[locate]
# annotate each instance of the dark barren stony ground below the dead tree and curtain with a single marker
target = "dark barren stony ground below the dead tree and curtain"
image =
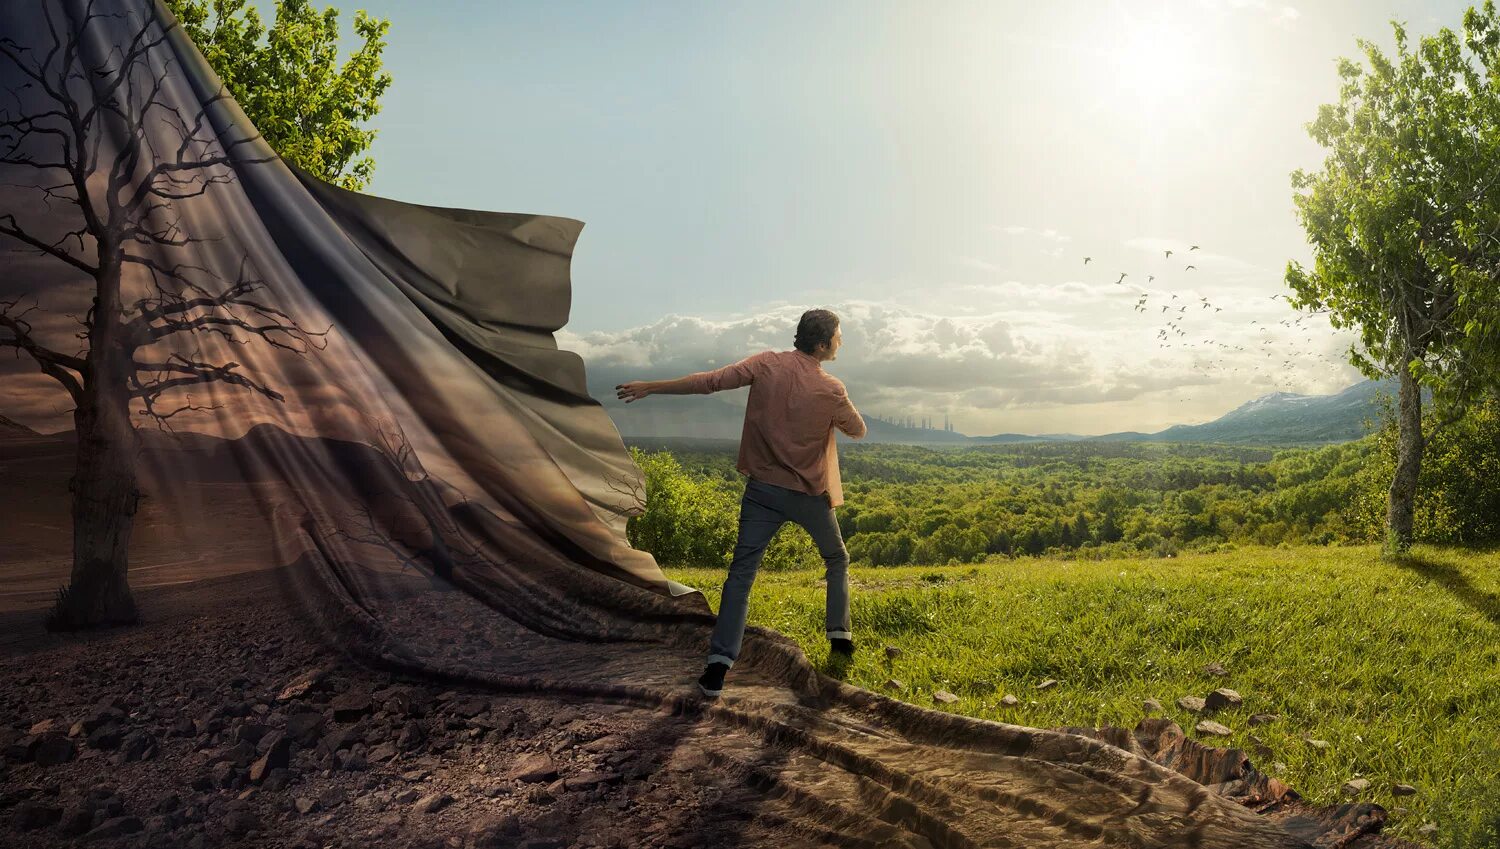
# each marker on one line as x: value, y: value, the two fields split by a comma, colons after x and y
x: 223, y: 722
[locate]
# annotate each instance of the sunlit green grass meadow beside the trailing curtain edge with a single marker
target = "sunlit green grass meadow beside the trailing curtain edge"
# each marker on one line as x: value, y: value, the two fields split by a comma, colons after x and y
x: 1397, y: 667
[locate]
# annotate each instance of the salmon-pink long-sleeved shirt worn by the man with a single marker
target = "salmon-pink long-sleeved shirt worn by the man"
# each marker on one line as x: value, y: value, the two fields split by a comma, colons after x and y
x: 794, y: 407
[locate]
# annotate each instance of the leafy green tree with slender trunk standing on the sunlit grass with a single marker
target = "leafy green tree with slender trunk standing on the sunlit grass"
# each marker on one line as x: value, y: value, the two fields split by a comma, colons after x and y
x: 1405, y: 224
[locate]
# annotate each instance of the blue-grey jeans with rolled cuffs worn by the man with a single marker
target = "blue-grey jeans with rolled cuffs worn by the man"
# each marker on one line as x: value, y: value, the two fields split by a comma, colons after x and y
x: 763, y: 511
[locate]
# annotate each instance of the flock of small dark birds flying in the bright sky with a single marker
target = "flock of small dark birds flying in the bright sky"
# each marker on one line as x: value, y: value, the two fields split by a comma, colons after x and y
x: 1175, y: 332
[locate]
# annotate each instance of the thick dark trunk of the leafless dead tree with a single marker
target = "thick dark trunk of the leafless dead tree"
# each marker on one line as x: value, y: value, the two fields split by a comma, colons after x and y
x: 104, y: 482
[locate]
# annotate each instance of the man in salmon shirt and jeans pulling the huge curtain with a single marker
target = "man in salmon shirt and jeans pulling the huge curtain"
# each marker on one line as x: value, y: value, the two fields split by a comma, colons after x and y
x: 791, y: 460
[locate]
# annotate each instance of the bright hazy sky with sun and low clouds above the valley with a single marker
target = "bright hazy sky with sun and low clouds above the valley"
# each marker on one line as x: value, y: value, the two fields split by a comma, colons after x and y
x: 934, y: 172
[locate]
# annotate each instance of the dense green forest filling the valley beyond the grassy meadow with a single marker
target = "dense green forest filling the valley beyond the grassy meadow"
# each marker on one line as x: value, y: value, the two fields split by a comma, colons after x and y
x: 1091, y: 502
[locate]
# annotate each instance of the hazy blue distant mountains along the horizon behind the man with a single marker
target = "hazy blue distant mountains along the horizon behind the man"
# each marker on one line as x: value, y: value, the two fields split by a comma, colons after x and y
x: 1276, y: 419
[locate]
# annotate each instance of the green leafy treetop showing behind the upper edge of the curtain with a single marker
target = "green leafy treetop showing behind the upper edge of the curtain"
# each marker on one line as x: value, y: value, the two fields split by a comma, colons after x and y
x: 289, y: 80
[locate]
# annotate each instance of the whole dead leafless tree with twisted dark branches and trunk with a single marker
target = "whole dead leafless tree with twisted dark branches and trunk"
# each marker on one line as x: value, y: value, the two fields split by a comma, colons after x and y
x: 95, y: 131
